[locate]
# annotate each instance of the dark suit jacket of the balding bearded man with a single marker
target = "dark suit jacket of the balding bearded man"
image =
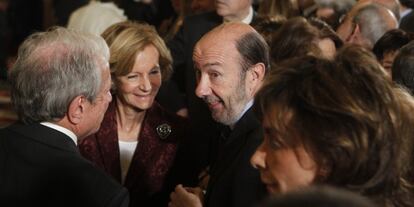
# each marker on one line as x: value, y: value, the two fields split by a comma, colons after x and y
x: 233, y: 181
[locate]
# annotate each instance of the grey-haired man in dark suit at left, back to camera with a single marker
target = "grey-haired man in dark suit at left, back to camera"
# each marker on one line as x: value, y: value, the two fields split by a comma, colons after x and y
x: 60, y: 89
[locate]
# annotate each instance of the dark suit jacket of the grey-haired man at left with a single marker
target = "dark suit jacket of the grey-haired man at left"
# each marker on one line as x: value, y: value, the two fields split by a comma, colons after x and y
x: 40, y: 166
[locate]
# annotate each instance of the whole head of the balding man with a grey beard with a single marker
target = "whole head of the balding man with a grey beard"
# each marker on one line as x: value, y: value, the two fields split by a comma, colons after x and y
x: 230, y: 62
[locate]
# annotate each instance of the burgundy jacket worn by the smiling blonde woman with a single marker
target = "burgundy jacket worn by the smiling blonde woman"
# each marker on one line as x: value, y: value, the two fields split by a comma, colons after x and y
x: 152, y: 158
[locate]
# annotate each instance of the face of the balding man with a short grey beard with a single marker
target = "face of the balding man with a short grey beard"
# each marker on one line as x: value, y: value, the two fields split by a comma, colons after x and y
x: 221, y: 82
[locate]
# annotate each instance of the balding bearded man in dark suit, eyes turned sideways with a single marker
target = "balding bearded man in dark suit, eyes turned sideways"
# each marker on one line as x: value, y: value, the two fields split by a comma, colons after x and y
x: 231, y: 61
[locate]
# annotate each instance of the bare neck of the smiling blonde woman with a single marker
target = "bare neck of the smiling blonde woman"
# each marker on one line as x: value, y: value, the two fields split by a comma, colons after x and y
x: 128, y: 119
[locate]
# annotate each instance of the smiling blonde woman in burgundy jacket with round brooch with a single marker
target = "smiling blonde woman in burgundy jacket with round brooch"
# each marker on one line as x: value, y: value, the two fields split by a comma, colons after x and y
x: 138, y: 139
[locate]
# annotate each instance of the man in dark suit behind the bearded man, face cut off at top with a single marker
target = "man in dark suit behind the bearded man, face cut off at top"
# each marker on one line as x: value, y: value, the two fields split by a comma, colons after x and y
x: 181, y: 46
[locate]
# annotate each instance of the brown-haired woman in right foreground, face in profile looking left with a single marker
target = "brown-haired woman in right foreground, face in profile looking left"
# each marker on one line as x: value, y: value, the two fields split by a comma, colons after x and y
x: 341, y: 123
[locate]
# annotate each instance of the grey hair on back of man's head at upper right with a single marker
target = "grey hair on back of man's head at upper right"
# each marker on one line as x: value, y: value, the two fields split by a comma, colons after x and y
x: 373, y: 21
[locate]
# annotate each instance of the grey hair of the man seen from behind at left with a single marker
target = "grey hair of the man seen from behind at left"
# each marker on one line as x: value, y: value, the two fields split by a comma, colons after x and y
x: 54, y: 67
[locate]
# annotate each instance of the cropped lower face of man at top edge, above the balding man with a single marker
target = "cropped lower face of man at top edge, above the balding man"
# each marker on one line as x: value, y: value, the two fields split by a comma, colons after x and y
x: 231, y: 8
